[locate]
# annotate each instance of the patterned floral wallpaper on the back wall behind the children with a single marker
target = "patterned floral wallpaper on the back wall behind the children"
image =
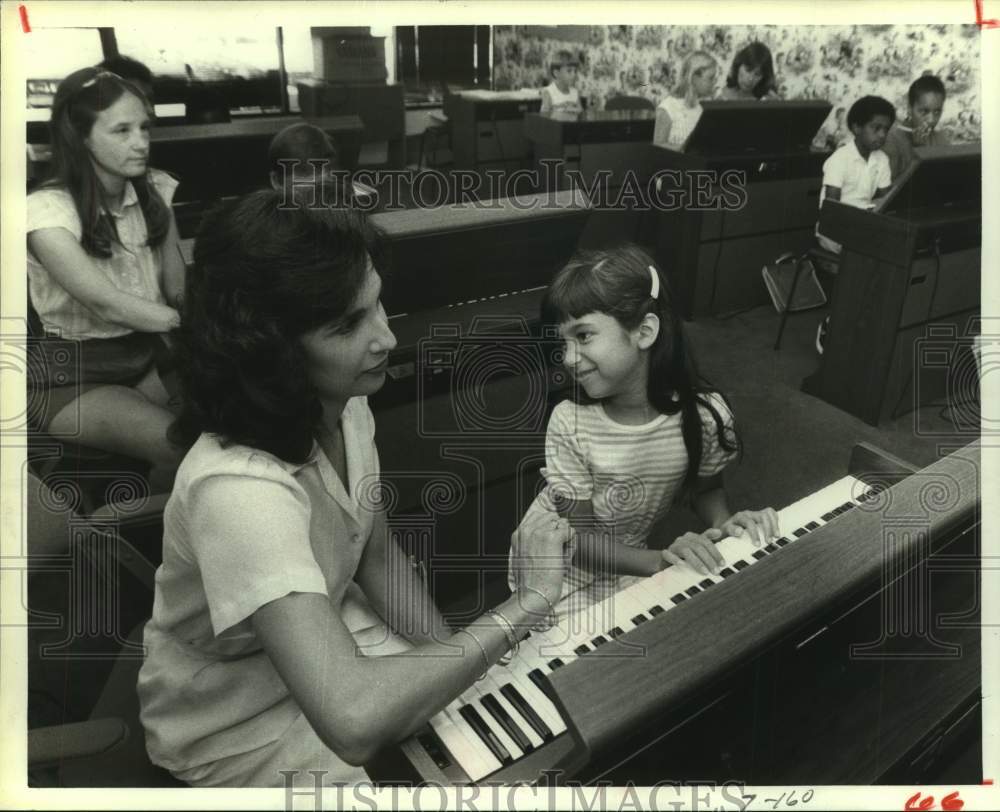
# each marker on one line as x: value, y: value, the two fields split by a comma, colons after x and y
x: 836, y: 63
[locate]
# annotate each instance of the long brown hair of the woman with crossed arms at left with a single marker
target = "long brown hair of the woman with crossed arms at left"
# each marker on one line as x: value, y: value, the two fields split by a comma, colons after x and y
x: 80, y: 98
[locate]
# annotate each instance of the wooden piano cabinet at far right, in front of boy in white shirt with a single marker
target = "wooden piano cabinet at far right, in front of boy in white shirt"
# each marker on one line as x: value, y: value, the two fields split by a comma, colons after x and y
x: 904, y: 308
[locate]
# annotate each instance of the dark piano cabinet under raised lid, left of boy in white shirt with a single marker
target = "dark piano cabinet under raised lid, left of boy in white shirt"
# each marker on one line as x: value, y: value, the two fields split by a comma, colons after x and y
x: 714, y: 255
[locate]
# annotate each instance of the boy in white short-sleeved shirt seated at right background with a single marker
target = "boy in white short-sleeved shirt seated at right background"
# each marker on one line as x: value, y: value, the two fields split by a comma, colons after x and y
x: 858, y: 172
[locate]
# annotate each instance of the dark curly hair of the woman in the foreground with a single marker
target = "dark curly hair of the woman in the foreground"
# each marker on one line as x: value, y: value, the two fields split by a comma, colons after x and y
x: 263, y: 275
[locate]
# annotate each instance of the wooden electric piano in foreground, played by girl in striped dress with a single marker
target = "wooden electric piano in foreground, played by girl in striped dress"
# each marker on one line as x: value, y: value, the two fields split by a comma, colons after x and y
x: 821, y: 672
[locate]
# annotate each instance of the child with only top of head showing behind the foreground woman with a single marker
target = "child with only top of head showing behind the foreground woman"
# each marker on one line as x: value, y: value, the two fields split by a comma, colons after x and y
x: 305, y: 164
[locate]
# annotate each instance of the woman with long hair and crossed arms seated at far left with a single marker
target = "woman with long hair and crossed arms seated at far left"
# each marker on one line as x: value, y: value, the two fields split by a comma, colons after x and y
x: 105, y: 272
